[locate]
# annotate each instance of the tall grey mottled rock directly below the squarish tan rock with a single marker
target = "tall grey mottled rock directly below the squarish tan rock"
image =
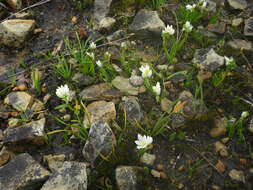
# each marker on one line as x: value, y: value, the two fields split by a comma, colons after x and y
x: 100, y: 142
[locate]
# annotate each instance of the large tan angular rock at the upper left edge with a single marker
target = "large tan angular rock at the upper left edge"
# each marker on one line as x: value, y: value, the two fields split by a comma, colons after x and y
x: 14, y: 32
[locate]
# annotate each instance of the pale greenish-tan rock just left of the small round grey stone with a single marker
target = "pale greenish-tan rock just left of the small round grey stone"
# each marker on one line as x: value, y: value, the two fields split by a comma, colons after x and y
x: 123, y: 84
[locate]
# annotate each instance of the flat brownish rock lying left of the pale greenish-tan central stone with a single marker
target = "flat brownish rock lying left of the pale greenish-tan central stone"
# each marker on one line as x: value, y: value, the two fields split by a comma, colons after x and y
x: 102, y: 91
